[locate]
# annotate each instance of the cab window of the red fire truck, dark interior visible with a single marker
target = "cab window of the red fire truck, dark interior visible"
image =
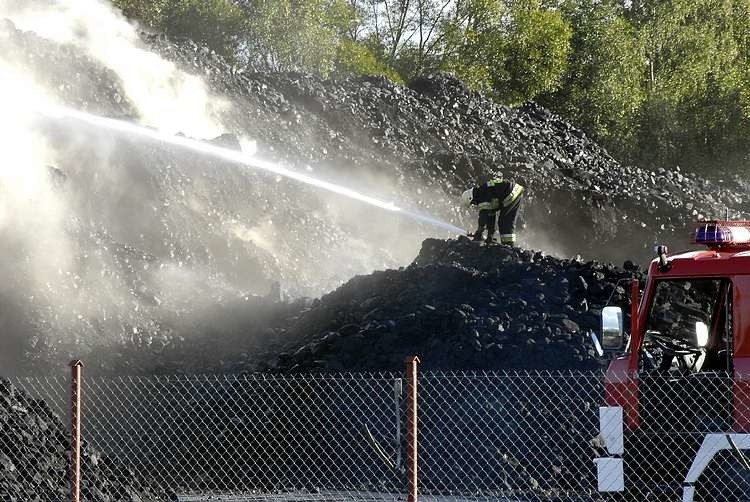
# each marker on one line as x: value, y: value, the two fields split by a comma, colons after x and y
x: 674, y: 341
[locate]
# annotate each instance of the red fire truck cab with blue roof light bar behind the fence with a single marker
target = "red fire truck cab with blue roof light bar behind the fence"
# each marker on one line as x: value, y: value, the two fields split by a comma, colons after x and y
x: 677, y: 389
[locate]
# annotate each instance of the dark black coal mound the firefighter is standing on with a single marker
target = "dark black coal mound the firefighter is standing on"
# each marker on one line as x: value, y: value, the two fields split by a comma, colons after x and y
x: 461, y: 306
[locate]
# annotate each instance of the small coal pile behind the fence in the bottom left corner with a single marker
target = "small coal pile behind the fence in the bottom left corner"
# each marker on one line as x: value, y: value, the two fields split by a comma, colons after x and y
x: 34, y: 456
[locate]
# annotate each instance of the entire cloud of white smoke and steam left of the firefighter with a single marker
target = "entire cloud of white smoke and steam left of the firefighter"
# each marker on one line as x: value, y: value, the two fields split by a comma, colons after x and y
x: 126, y: 249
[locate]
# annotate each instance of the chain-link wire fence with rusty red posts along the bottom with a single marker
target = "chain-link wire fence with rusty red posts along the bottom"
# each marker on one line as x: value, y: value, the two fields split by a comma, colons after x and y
x: 521, y: 436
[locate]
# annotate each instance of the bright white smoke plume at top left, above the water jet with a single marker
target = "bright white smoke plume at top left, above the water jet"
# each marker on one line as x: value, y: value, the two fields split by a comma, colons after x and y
x: 165, y: 97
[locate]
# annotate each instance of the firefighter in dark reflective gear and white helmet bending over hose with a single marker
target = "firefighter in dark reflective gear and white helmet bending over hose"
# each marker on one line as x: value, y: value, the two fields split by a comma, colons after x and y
x: 497, y: 199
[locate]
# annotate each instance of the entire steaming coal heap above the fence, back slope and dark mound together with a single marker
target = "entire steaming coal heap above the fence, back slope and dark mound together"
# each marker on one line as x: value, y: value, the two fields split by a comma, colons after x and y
x: 426, y: 142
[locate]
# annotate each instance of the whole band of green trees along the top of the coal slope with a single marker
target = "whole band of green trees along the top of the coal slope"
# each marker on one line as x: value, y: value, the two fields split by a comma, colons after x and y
x: 659, y: 83
